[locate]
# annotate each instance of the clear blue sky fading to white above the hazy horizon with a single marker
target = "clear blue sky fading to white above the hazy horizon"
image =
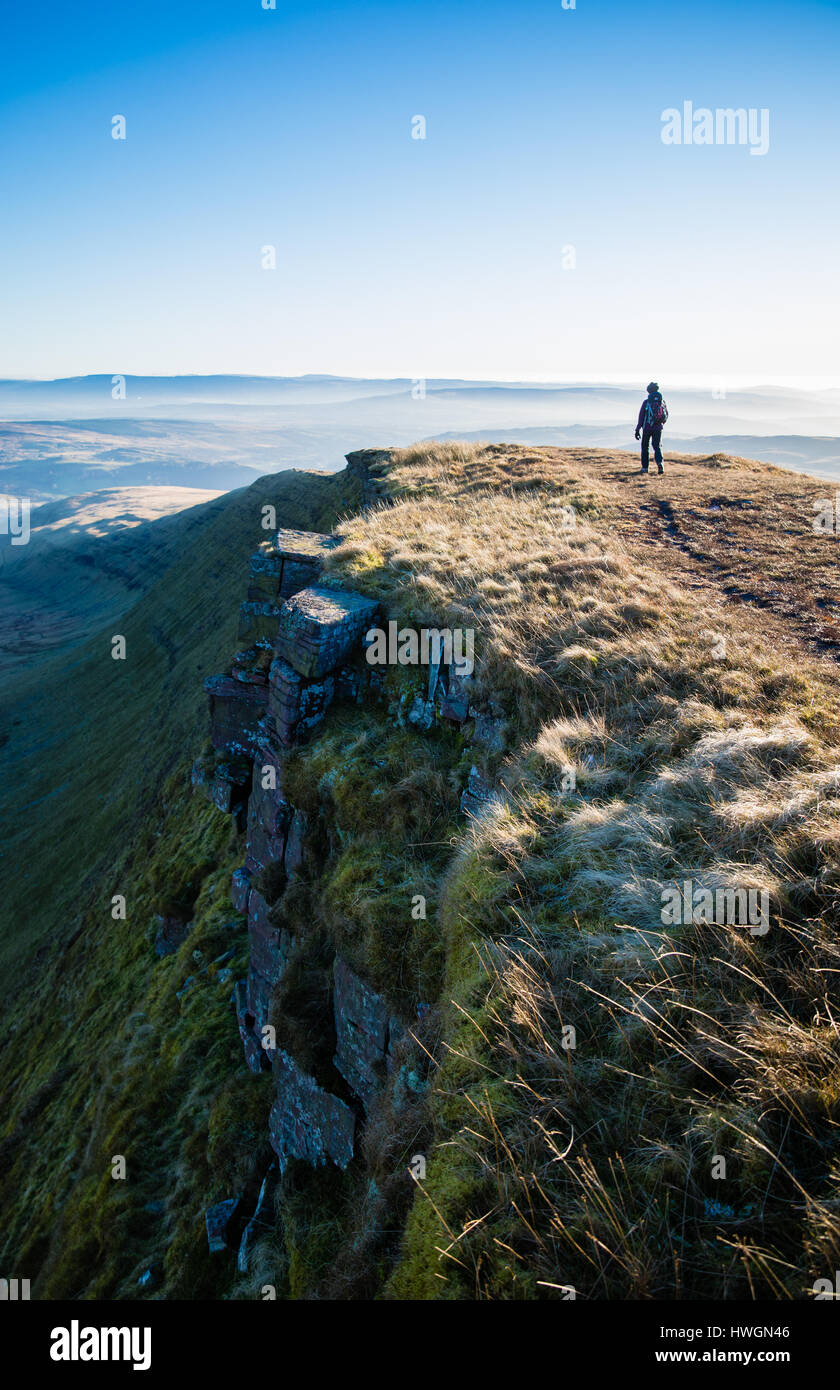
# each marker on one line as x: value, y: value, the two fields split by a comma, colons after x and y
x: 293, y: 127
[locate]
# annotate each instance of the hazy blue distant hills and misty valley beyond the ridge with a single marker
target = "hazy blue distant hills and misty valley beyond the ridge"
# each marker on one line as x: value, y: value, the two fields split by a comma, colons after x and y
x: 81, y: 434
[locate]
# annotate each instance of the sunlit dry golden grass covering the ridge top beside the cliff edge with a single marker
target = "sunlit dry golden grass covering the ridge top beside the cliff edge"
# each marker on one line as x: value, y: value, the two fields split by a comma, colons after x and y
x: 702, y: 730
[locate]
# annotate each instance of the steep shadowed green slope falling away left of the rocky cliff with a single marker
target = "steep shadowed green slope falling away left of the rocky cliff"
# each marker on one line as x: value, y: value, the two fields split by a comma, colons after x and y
x: 99, y: 1057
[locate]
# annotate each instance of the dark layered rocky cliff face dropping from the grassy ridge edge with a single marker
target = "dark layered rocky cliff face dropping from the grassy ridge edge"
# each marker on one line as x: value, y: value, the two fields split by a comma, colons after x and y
x: 302, y: 657
